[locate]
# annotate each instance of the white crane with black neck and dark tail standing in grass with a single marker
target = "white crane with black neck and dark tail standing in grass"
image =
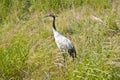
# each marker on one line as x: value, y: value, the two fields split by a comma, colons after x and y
x: 63, y: 43
